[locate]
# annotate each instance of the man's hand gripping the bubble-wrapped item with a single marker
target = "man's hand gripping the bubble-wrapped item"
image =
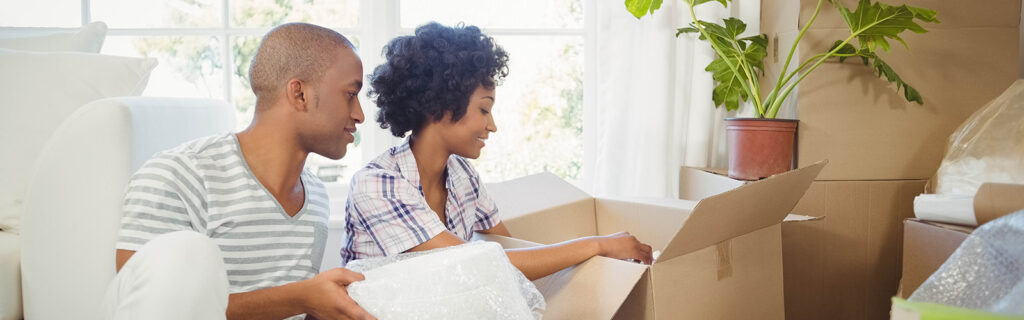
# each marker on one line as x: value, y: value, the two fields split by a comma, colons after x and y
x: 327, y: 296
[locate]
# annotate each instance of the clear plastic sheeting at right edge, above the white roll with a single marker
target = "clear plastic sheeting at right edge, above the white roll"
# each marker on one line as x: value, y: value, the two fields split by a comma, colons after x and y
x: 988, y: 148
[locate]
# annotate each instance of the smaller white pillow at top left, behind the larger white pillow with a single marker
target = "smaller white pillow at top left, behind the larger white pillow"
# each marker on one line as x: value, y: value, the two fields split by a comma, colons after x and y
x: 88, y: 39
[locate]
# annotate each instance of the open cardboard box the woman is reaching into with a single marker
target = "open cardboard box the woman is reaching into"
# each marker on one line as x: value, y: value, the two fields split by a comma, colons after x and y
x: 720, y: 258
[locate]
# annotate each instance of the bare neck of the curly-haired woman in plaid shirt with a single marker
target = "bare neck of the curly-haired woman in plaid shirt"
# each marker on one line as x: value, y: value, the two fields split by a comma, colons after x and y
x: 432, y: 159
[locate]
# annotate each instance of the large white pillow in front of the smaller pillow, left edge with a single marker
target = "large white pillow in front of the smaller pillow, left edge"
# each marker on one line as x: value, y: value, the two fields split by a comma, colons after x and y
x: 40, y: 91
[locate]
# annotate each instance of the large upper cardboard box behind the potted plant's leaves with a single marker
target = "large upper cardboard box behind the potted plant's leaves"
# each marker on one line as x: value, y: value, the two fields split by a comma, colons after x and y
x: 857, y: 121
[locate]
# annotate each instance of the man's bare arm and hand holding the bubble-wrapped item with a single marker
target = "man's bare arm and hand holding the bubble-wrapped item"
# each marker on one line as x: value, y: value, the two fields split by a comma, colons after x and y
x: 324, y: 297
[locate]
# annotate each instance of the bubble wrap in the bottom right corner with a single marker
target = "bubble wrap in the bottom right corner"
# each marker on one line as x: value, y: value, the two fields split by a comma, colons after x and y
x: 986, y: 273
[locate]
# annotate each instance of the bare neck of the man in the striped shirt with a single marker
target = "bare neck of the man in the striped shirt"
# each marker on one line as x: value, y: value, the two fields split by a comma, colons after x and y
x: 275, y: 159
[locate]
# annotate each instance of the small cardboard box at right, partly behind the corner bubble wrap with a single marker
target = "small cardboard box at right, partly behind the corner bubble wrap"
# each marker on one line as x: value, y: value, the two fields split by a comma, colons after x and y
x: 926, y: 247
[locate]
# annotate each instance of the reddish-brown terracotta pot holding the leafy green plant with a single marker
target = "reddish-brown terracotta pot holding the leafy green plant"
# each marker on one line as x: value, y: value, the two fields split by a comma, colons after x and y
x: 760, y: 148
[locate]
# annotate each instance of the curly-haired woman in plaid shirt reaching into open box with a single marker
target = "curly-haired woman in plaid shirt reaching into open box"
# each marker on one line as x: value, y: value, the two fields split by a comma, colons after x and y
x: 440, y: 85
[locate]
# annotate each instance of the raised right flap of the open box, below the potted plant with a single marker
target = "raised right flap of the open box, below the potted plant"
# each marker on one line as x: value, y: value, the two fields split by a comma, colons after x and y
x: 742, y: 211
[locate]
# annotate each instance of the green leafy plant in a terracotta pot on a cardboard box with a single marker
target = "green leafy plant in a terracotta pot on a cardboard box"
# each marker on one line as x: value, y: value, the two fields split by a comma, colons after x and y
x: 764, y: 146
